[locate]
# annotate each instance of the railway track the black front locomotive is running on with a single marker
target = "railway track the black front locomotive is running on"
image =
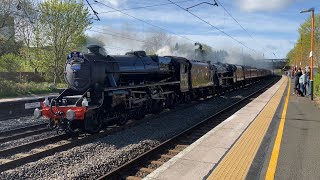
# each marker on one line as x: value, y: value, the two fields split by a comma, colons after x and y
x: 16, y: 156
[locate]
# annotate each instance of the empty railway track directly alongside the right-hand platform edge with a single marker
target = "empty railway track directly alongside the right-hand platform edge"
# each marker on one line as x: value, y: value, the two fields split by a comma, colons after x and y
x: 147, y: 162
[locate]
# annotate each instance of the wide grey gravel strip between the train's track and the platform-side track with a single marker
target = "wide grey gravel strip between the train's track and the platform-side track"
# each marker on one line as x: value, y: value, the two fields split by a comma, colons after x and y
x: 91, y: 160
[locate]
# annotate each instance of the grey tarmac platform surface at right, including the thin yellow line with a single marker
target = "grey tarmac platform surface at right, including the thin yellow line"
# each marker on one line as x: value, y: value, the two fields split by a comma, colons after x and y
x: 299, y: 148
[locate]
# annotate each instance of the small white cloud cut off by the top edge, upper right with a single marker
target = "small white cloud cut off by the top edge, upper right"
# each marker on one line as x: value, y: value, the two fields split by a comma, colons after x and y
x: 263, y: 5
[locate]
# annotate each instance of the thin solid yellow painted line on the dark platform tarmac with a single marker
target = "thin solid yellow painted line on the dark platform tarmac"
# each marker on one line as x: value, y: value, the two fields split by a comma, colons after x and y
x: 276, y: 148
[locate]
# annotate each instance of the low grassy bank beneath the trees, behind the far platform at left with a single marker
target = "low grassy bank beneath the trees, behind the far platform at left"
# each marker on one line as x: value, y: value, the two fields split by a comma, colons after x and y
x: 16, y: 89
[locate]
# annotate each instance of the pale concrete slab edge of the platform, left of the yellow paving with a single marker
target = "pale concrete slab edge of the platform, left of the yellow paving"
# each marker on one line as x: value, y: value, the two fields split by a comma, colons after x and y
x: 199, y: 159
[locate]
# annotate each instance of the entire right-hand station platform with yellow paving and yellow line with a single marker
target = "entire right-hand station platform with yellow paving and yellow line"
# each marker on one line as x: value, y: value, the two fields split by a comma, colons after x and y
x: 276, y: 136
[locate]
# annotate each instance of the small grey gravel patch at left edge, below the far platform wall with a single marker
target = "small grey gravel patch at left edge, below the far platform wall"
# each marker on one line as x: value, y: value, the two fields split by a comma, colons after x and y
x: 19, y: 122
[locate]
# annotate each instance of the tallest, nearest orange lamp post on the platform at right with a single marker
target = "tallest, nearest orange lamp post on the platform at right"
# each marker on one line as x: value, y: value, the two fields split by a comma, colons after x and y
x: 311, y: 52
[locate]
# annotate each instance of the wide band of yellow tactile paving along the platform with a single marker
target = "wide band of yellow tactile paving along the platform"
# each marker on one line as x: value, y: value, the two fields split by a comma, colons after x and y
x: 237, y: 162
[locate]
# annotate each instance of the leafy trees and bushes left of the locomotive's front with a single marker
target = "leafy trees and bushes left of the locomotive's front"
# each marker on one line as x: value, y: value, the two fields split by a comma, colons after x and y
x: 36, y: 36
